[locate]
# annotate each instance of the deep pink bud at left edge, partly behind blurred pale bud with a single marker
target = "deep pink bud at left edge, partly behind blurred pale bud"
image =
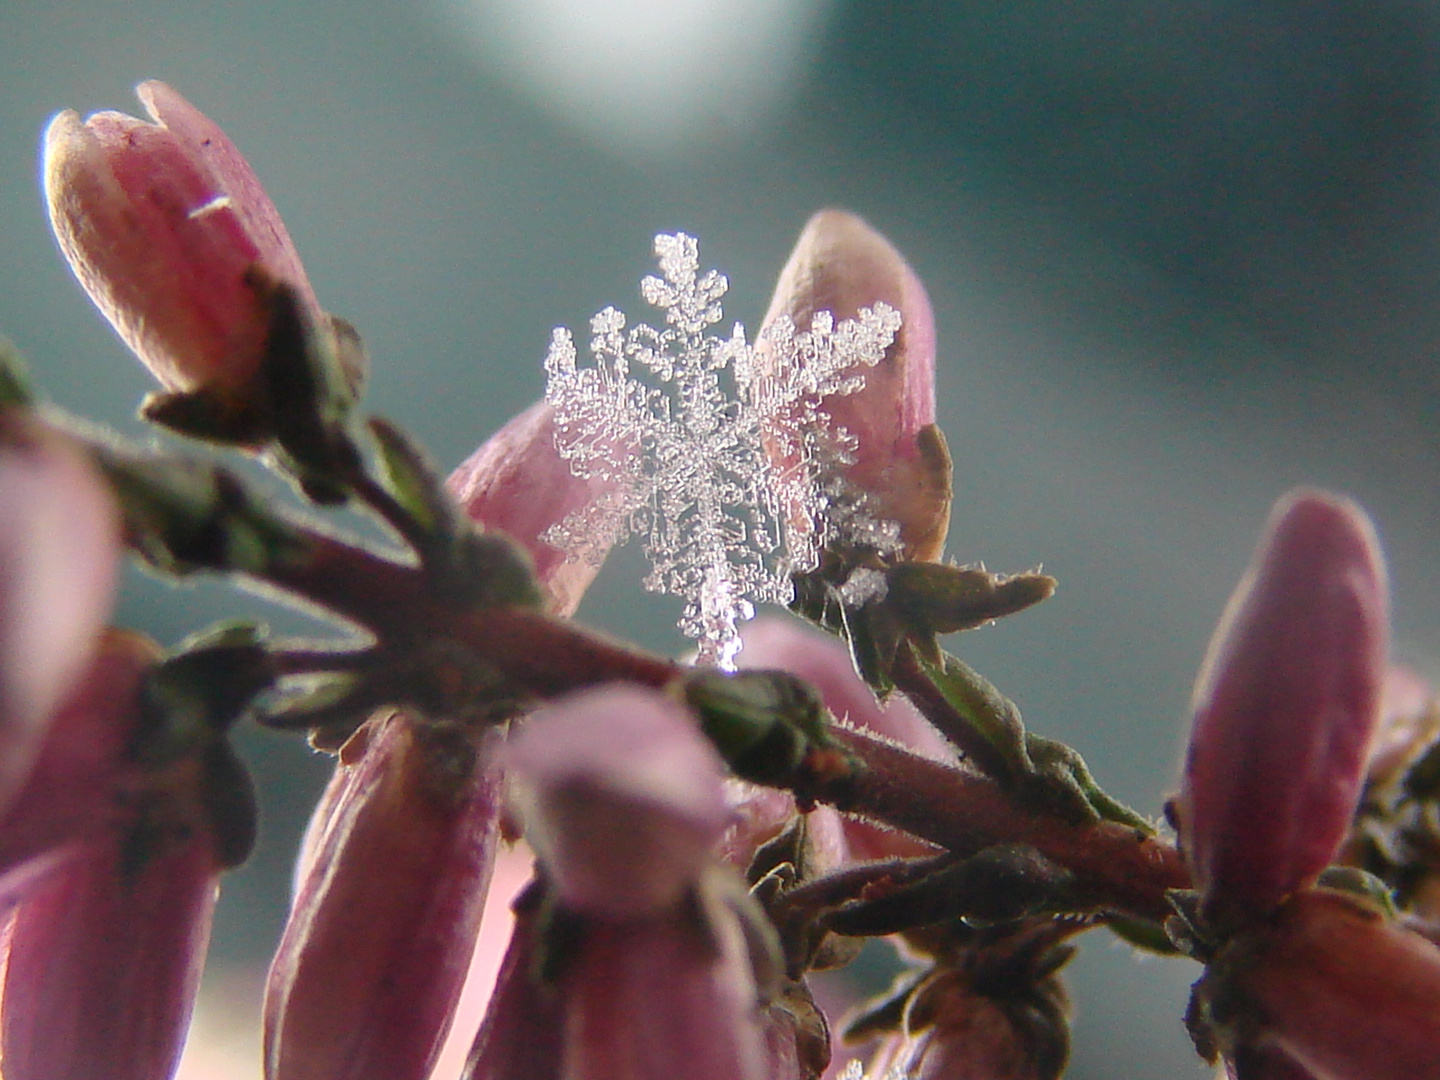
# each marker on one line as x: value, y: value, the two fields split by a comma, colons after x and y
x: 74, y: 790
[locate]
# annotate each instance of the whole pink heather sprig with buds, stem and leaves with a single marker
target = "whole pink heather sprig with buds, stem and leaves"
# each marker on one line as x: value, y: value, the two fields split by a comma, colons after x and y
x: 703, y: 842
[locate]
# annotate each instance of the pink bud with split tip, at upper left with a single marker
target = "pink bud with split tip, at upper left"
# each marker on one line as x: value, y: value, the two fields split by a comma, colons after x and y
x: 162, y: 224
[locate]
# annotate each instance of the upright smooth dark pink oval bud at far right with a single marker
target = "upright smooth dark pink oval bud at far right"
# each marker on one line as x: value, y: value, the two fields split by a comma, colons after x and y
x: 1285, y: 709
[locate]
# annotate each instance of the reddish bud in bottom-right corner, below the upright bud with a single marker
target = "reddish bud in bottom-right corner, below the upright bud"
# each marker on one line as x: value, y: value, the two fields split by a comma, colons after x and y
x: 1338, y: 990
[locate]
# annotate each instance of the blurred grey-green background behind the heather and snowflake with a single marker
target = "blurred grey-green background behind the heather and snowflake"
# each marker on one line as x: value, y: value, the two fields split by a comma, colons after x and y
x: 1183, y: 257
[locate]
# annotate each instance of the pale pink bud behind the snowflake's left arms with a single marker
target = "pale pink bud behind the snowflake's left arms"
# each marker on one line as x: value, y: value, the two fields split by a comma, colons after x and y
x: 519, y: 485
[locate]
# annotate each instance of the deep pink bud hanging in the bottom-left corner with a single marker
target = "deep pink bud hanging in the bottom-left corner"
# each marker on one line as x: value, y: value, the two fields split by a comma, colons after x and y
x: 106, y: 958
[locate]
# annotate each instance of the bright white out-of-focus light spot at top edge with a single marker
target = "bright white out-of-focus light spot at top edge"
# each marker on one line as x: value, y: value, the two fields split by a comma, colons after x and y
x: 647, y: 74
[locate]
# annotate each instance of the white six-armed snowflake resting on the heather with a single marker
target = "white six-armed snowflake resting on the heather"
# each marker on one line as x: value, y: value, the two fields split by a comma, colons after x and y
x: 726, y: 467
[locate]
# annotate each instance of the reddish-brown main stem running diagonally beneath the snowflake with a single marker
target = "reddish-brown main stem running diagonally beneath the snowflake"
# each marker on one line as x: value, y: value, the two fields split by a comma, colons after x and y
x: 1118, y: 869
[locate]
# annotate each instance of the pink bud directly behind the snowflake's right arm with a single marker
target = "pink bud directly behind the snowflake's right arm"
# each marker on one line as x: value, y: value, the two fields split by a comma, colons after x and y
x: 840, y: 266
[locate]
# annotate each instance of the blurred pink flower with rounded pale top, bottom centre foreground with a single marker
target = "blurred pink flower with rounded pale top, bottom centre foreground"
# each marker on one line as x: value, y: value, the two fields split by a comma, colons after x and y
x: 621, y: 797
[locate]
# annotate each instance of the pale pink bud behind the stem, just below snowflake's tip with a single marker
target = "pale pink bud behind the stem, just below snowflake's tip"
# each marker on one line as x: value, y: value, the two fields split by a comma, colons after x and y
x: 824, y: 662
